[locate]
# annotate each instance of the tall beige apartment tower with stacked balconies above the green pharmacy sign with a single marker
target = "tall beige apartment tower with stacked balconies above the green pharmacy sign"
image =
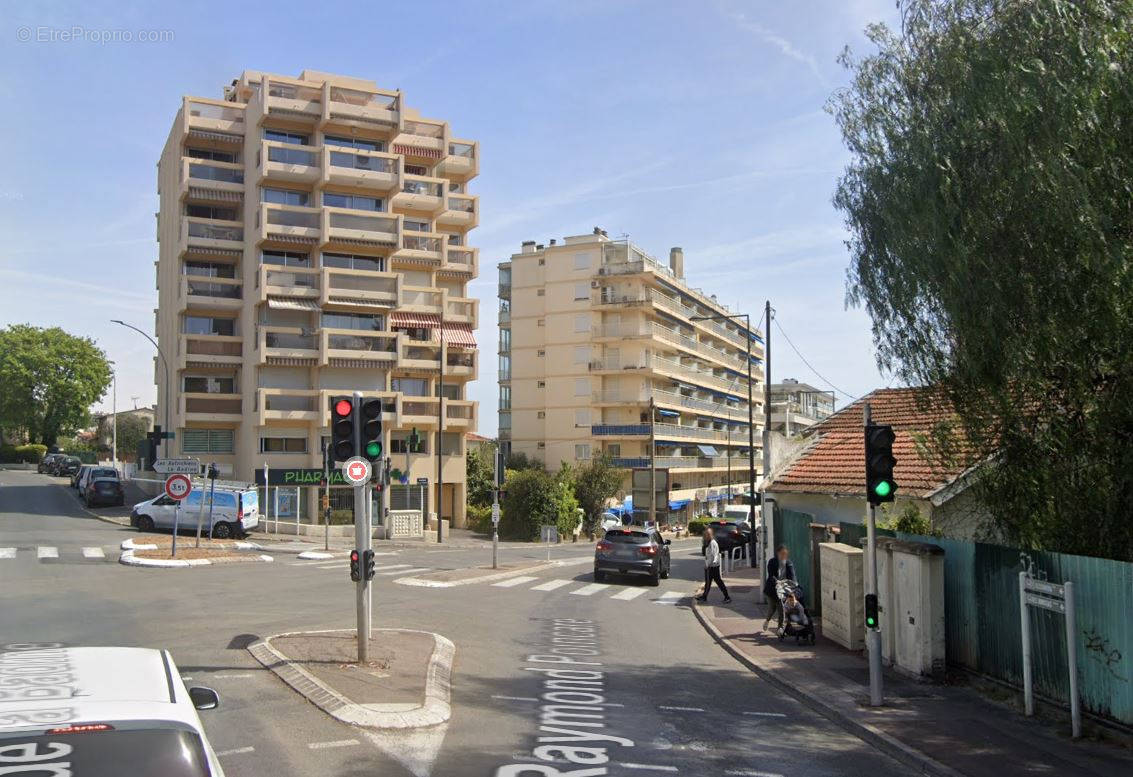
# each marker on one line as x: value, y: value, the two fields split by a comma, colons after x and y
x: 314, y: 241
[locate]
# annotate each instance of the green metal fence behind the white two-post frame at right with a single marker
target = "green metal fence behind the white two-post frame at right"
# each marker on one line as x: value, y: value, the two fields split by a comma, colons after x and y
x: 983, y: 620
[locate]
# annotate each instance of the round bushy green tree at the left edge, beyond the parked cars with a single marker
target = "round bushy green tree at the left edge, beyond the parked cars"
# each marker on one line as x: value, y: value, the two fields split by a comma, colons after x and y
x: 50, y: 381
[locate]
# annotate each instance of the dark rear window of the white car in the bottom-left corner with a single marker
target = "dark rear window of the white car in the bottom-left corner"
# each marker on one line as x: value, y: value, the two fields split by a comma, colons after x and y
x: 154, y: 753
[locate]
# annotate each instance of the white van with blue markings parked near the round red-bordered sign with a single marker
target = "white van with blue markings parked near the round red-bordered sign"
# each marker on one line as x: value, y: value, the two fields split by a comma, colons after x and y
x: 235, y: 511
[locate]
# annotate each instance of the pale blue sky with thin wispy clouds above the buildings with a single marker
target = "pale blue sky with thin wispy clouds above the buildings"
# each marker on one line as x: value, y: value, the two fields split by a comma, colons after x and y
x: 693, y: 124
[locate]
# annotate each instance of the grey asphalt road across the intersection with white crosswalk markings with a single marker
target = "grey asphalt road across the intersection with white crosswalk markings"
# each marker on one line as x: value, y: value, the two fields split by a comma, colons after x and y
x: 672, y: 702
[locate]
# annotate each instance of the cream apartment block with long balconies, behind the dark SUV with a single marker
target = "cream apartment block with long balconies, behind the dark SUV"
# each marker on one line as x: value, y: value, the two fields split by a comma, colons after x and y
x: 591, y: 331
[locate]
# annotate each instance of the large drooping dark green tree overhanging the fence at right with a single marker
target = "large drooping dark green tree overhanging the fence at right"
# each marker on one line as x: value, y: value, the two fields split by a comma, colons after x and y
x: 992, y: 244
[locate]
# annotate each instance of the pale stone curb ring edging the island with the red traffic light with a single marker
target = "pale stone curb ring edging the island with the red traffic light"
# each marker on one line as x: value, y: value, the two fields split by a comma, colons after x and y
x: 436, y: 711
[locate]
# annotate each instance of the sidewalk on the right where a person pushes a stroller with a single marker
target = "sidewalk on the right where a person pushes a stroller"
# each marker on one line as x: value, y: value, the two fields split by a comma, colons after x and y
x: 936, y: 729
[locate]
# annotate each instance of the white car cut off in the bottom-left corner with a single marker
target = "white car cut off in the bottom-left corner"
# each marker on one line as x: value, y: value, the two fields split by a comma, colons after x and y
x: 127, y: 712
